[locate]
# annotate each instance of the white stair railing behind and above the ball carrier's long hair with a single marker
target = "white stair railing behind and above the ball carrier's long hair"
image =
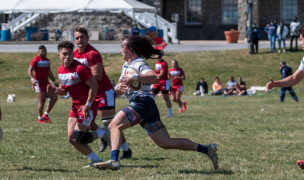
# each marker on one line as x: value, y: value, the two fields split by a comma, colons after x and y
x: 148, y: 20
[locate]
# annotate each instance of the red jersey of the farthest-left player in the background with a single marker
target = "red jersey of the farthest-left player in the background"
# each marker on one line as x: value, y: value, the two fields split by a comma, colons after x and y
x: 41, y: 68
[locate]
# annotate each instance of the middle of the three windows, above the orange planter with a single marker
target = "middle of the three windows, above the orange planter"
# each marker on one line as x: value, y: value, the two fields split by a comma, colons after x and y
x: 230, y: 14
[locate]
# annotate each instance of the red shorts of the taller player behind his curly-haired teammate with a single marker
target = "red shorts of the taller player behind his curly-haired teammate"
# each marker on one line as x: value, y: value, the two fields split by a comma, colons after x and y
x: 106, y: 99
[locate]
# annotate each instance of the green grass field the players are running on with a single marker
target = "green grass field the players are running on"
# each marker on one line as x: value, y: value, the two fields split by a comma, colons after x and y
x: 253, y: 144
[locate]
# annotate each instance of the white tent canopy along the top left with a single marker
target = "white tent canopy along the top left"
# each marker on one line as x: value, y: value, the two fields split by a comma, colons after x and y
x: 58, y: 6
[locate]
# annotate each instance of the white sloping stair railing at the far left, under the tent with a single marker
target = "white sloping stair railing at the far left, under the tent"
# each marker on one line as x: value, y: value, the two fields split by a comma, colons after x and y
x: 20, y: 22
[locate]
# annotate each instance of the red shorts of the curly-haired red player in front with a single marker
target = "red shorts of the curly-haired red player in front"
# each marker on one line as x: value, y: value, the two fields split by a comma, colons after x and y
x: 74, y: 113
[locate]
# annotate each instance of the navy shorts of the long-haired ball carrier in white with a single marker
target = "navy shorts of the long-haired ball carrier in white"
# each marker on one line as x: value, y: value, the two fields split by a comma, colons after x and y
x: 143, y: 111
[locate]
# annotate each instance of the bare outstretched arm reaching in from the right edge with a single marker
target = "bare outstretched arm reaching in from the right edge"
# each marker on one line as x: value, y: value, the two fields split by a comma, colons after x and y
x: 286, y: 82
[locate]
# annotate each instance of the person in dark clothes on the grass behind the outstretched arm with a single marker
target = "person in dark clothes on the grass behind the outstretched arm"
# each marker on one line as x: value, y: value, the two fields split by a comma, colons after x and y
x: 286, y: 71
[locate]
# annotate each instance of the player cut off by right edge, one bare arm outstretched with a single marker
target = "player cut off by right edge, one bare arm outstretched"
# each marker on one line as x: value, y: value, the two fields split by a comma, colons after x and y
x: 291, y: 80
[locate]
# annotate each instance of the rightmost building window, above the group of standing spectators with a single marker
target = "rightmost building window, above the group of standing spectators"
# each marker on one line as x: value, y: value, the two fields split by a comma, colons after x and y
x: 289, y: 10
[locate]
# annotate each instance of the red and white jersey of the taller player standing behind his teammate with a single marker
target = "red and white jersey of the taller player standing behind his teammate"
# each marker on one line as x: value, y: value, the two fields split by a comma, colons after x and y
x: 89, y: 57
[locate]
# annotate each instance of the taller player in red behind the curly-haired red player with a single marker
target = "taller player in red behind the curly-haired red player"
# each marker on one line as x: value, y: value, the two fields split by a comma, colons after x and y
x: 105, y: 97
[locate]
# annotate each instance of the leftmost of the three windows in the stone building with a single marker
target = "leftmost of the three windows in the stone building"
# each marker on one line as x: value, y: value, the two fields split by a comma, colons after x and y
x: 193, y: 12
